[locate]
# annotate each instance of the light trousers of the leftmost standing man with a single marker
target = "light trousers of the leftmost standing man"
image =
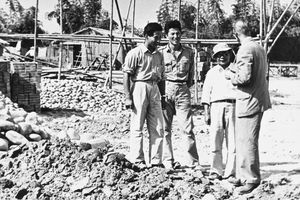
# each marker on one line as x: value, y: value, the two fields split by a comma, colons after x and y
x: 147, y: 106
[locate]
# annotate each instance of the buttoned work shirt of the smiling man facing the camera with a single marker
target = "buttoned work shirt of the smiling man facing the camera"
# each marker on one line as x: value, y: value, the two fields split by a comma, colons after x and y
x: 178, y: 67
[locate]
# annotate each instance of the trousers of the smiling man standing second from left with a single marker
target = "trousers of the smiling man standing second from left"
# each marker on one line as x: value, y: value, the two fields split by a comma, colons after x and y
x: 178, y: 103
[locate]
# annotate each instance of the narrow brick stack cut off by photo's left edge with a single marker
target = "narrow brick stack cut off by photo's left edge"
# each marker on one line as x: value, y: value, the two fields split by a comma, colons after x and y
x: 5, y: 78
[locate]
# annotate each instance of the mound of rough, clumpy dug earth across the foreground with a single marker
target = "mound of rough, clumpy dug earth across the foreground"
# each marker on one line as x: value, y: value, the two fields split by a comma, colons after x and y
x: 60, y: 169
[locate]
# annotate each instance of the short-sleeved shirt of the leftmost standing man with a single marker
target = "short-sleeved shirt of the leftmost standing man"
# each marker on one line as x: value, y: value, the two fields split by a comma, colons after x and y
x: 144, y: 65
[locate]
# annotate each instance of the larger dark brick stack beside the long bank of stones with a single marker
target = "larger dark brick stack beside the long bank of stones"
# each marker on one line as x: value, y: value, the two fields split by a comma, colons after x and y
x: 25, y: 85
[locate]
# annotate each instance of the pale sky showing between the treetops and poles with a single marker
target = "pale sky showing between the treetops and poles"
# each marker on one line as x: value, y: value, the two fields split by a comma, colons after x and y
x: 145, y: 11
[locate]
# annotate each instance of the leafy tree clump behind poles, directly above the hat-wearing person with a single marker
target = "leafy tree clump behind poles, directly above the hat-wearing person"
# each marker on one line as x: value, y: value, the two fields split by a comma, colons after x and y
x: 212, y: 22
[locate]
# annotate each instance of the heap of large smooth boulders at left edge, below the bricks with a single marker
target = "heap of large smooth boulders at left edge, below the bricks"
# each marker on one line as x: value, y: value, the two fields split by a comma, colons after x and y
x: 18, y: 126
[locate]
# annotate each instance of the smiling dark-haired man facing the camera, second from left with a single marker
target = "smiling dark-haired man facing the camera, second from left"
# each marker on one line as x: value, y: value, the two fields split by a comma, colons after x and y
x: 179, y: 73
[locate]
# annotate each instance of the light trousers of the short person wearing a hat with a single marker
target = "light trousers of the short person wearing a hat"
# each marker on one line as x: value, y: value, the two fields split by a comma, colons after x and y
x: 223, y: 127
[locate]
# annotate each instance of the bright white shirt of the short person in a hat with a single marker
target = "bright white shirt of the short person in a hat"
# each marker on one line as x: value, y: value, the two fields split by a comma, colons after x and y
x: 216, y: 87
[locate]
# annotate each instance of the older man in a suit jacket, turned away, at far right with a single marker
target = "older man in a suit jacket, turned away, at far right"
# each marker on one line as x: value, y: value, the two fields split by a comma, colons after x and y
x: 250, y: 76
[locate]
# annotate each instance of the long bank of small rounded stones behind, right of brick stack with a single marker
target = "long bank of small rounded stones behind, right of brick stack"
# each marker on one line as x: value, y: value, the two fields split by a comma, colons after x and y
x: 80, y: 95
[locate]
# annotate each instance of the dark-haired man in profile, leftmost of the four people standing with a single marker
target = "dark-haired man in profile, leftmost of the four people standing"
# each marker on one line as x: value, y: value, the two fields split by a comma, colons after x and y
x: 143, y: 67
